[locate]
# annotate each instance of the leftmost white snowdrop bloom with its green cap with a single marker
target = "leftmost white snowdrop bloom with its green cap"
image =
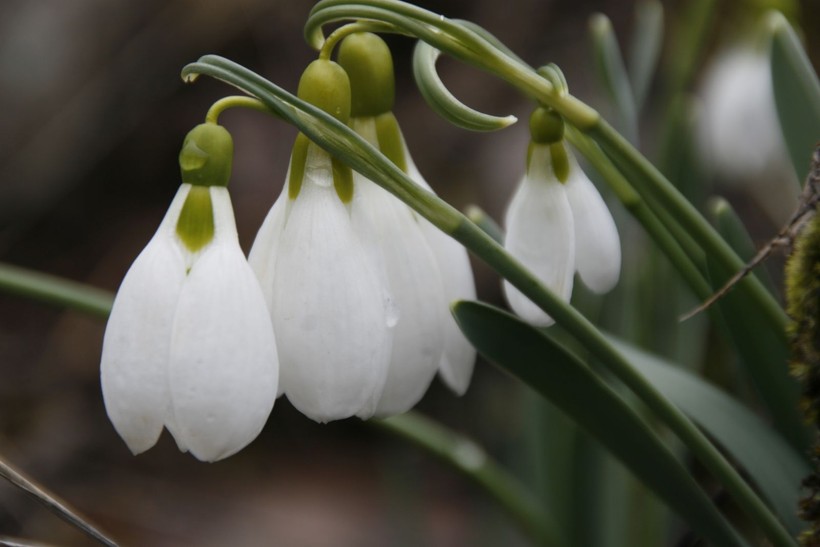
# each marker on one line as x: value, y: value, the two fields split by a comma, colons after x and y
x: 189, y: 344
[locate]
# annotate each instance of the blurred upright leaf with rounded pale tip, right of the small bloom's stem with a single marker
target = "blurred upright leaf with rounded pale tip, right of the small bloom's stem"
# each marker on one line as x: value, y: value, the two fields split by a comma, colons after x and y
x: 612, y: 72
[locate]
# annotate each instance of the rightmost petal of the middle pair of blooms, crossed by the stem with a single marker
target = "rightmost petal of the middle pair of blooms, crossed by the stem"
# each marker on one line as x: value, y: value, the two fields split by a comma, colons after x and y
x: 458, y: 357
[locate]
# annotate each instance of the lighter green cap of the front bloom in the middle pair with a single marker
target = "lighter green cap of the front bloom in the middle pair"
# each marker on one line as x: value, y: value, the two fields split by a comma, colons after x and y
x: 325, y: 84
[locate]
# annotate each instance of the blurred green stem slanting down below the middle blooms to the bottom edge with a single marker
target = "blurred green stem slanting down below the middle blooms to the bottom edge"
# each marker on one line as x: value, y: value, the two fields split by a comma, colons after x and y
x: 471, y: 460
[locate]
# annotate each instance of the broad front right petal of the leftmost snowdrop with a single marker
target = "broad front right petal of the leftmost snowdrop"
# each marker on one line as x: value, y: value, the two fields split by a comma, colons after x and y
x: 224, y: 366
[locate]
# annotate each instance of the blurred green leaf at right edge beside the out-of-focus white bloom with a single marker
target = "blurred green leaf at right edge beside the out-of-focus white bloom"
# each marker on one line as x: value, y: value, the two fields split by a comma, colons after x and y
x: 796, y: 93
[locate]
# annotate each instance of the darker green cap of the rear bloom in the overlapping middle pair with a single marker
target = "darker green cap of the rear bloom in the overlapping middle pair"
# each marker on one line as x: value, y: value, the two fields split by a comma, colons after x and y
x: 368, y: 62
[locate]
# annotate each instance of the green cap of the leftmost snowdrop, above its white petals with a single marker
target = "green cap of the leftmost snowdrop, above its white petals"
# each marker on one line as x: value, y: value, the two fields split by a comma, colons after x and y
x: 206, y: 157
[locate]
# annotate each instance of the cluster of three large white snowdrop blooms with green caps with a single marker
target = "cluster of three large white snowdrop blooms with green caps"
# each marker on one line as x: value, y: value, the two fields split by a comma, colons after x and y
x: 341, y: 305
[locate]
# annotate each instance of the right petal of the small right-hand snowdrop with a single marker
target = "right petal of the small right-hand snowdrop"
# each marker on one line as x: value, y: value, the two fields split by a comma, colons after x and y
x: 597, y: 247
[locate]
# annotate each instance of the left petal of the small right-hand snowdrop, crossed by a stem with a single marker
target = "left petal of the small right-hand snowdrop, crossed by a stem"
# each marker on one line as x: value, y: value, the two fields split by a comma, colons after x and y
x: 540, y: 235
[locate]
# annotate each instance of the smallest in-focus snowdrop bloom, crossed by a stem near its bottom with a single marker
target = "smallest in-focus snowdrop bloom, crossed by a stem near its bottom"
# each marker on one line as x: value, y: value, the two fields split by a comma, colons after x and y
x: 557, y: 223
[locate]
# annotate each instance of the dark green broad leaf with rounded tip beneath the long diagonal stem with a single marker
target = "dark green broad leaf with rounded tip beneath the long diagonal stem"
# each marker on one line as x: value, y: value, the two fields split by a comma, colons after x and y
x: 532, y: 357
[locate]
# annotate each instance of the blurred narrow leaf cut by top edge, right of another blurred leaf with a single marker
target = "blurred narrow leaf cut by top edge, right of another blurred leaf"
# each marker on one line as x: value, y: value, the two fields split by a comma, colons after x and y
x: 647, y: 39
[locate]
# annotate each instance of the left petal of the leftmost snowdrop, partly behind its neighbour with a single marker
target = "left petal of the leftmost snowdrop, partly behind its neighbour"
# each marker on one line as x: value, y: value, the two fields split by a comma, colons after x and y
x: 136, y: 347
